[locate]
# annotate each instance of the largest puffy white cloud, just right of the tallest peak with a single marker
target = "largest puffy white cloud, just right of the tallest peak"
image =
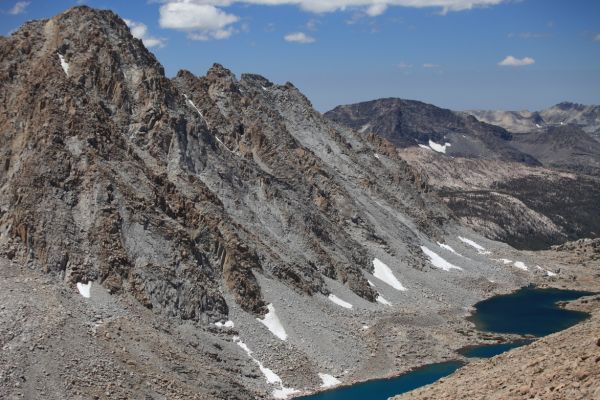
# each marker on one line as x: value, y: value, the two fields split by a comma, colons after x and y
x: 202, y: 21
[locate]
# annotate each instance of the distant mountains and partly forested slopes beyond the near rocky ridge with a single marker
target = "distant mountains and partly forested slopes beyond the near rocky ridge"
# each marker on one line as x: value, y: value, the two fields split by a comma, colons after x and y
x: 530, y: 189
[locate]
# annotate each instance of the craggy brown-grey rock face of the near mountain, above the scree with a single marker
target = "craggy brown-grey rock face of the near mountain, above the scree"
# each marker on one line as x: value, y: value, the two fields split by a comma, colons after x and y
x: 174, y: 189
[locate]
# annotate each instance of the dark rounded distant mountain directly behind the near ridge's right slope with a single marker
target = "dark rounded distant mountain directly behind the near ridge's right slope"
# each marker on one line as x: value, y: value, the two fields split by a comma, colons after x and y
x: 407, y: 123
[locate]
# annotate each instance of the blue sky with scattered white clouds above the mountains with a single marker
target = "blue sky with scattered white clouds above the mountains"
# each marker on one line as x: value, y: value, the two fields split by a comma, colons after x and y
x: 491, y: 54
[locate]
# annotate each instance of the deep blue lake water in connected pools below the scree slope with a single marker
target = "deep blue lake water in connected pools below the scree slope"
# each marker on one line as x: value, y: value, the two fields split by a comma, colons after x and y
x: 528, y: 311
